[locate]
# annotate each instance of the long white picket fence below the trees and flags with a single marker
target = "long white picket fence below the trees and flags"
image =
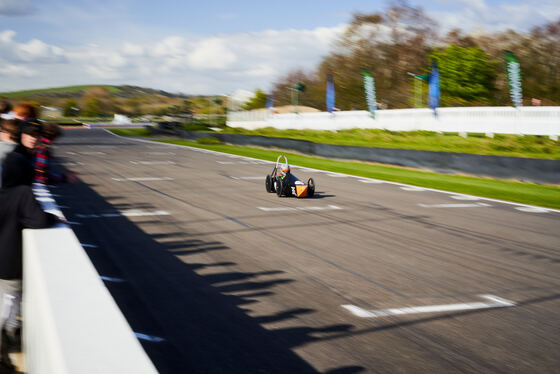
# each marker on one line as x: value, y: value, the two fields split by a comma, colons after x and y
x: 490, y: 120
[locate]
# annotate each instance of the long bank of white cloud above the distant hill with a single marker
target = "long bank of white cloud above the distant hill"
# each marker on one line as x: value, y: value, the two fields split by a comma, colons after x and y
x: 198, y: 65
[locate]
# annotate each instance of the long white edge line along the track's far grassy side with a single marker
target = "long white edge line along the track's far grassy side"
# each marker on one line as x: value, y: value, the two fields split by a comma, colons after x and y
x: 311, y: 170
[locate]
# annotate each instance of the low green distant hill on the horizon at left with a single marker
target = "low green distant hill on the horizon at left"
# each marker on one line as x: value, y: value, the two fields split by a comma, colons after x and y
x: 77, y: 91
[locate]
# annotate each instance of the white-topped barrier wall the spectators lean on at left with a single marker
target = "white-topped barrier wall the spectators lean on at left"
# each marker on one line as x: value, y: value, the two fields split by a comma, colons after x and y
x: 71, y: 324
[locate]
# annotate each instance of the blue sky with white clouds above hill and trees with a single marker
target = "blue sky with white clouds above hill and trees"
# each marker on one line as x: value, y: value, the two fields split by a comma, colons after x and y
x: 209, y: 47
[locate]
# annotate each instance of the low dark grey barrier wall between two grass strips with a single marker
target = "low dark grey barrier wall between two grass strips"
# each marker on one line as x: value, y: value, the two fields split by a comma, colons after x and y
x: 526, y: 169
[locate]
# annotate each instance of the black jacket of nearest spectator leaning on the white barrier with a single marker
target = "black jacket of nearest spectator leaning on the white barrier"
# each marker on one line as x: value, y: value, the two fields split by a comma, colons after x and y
x: 18, y: 210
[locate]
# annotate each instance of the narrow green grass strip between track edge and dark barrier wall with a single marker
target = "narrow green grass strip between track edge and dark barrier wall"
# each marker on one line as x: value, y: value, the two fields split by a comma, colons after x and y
x: 526, y: 193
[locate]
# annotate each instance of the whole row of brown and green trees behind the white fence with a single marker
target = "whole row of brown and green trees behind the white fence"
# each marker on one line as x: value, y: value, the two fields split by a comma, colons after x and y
x: 403, y: 40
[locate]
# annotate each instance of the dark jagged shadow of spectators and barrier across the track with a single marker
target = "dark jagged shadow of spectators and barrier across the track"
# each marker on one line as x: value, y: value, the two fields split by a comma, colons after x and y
x: 204, y: 328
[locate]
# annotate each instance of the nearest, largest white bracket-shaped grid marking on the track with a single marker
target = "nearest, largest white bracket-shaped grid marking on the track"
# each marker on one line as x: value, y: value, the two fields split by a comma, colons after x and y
x: 494, y: 302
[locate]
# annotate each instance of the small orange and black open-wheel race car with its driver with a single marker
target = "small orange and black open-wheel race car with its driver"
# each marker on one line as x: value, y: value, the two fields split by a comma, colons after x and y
x: 284, y: 183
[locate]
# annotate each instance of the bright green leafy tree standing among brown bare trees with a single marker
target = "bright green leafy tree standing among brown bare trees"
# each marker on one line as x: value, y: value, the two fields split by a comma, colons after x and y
x: 468, y: 75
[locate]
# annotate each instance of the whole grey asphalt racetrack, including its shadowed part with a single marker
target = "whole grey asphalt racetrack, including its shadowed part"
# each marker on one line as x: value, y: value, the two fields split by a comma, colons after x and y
x: 220, y: 276
